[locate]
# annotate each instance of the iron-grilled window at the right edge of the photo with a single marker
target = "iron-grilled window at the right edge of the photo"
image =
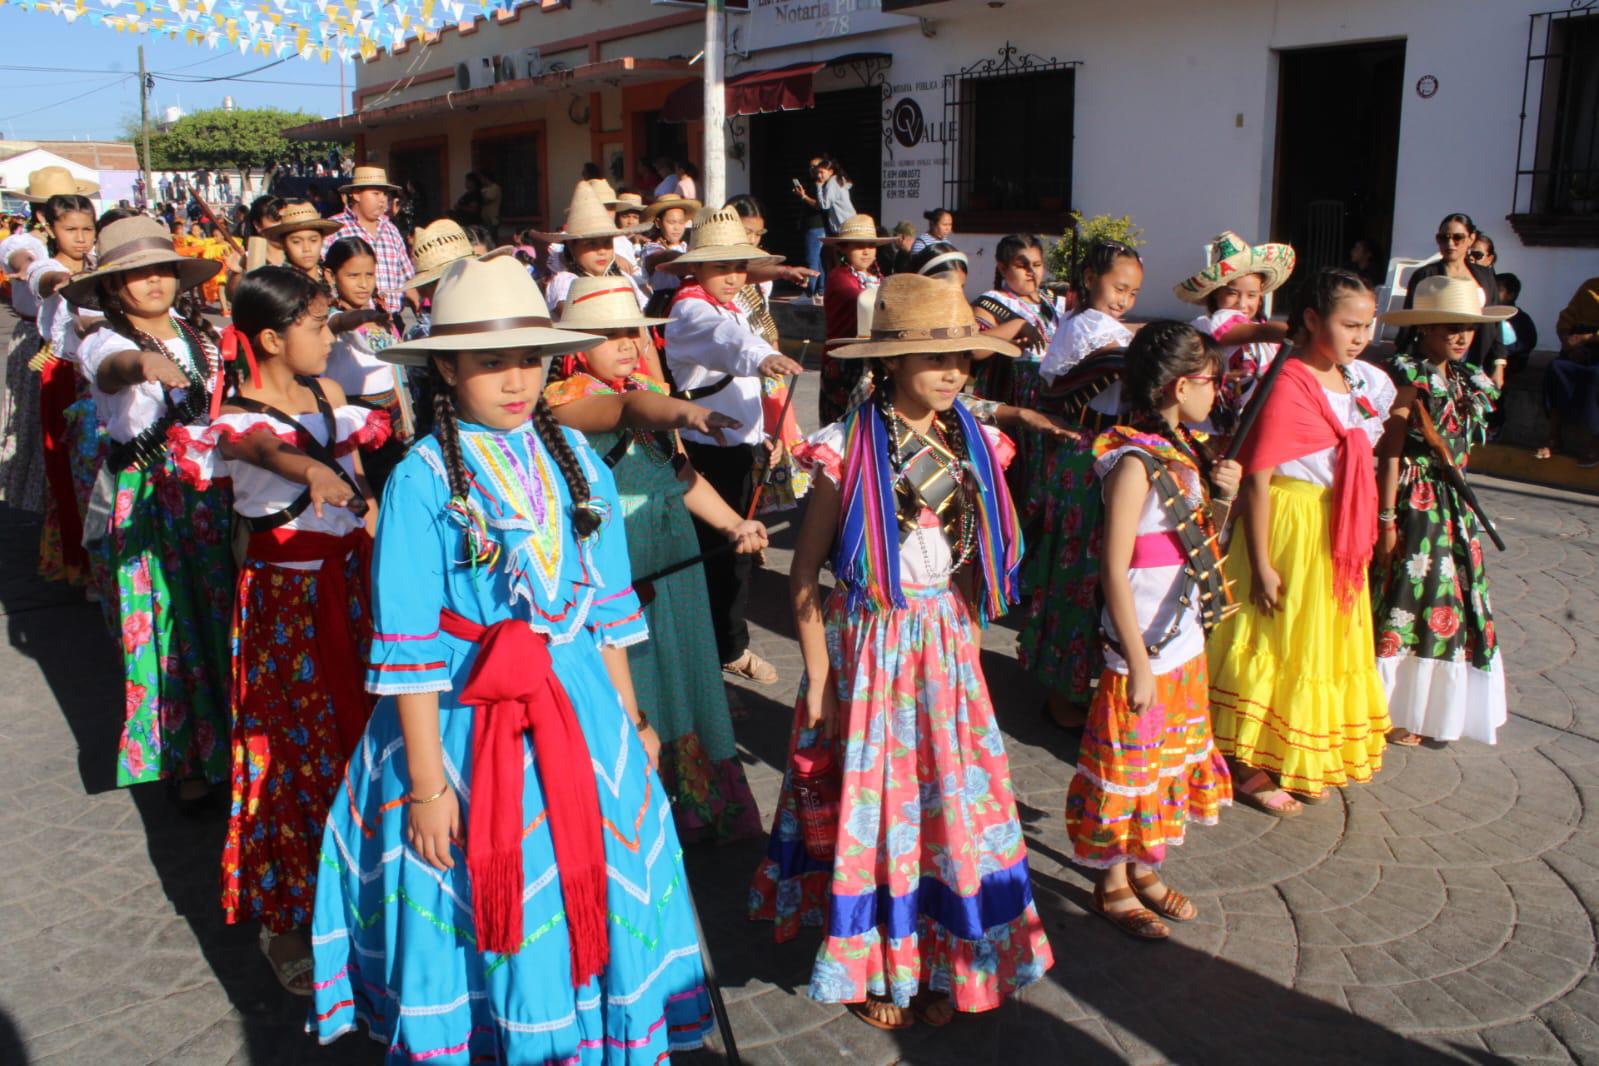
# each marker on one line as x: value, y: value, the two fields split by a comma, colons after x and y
x: 1558, y: 154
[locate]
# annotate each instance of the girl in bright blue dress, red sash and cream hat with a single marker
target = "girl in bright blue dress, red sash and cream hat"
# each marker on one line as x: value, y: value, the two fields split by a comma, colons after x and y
x: 503, y: 881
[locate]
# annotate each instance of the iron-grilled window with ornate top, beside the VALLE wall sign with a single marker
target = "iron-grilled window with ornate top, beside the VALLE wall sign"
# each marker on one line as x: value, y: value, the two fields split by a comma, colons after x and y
x: 1011, y: 164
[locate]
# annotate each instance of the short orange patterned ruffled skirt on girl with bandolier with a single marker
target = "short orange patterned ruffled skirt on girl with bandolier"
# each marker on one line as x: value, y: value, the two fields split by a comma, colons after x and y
x: 1144, y: 778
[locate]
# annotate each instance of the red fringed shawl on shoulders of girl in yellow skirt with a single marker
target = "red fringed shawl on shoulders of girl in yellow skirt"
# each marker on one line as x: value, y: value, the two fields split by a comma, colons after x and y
x: 1299, y: 421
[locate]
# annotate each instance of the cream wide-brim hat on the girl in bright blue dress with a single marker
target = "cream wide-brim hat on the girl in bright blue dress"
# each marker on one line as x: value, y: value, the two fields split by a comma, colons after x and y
x: 485, y: 304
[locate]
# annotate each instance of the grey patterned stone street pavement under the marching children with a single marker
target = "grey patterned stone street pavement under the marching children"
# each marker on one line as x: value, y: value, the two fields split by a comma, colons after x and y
x: 1443, y: 913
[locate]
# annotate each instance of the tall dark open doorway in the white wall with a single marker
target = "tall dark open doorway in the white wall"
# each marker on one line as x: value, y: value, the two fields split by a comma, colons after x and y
x: 1338, y: 153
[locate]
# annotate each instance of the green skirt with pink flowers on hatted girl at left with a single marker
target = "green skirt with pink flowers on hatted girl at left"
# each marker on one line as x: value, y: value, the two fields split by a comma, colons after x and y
x: 173, y: 563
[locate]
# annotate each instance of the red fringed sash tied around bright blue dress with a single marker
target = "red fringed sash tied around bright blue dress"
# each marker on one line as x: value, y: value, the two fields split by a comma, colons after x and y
x: 514, y: 691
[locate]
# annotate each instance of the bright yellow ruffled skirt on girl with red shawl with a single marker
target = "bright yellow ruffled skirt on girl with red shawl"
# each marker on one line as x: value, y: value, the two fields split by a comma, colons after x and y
x: 1298, y: 693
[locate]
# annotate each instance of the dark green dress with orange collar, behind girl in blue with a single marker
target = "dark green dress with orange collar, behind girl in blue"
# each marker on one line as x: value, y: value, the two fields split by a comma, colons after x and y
x: 677, y: 674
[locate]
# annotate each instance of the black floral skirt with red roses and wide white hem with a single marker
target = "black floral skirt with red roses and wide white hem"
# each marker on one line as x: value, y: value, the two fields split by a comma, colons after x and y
x: 1437, y: 648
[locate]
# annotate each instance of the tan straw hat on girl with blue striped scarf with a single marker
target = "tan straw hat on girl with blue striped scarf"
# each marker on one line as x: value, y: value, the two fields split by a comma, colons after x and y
x: 920, y: 316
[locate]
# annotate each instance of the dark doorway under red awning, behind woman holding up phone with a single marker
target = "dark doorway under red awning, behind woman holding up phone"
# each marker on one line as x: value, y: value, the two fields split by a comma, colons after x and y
x: 847, y: 125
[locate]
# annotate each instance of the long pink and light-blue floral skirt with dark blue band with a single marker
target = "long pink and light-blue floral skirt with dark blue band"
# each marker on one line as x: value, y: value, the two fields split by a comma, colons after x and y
x: 930, y: 886
